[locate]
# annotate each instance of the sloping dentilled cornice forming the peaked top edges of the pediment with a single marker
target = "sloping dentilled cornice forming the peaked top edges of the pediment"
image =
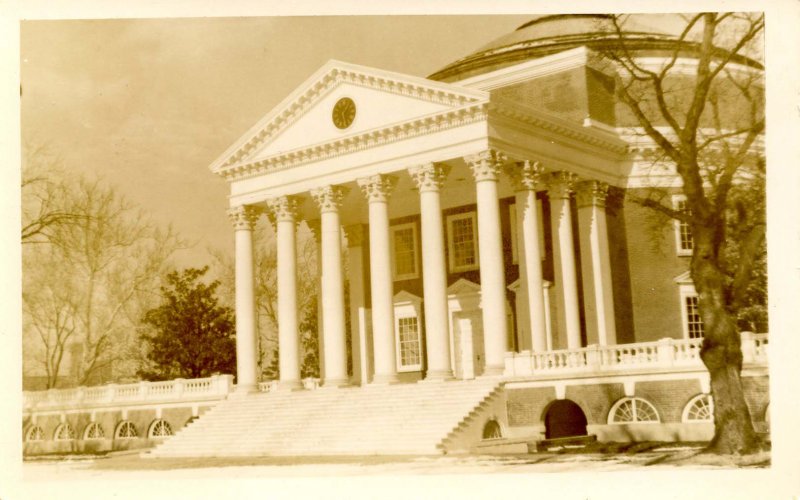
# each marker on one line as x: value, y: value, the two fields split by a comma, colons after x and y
x: 328, y: 77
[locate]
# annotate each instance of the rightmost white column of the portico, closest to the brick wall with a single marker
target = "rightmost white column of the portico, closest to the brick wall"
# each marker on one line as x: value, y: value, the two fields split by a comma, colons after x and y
x: 598, y: 291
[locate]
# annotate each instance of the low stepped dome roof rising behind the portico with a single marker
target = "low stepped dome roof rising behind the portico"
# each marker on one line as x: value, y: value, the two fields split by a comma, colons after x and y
x: 549, y: 34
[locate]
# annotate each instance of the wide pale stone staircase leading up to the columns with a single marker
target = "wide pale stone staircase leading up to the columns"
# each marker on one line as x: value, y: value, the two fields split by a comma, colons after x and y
x: 397, y: 419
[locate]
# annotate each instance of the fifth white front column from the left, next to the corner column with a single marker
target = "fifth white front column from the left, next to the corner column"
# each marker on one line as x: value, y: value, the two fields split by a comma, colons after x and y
x: 429, y: 179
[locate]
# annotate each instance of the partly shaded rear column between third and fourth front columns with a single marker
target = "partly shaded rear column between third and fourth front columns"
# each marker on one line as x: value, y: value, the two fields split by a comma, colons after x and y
x: 358, y: 307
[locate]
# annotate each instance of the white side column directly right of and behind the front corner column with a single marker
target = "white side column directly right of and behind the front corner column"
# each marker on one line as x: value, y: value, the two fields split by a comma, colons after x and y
x: 526, y: 176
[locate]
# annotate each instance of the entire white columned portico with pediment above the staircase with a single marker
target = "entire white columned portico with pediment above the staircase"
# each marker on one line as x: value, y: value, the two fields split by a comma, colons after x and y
x: 406, y: 173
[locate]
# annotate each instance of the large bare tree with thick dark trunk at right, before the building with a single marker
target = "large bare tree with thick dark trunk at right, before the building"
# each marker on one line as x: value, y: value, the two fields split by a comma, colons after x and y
x: 701, y: 108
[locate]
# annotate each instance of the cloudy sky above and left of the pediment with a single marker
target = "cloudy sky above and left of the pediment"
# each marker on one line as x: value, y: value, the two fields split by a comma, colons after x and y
x: 149, y: 104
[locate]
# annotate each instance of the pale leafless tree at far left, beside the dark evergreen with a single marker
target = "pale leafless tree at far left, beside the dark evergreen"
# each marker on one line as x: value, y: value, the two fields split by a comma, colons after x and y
x: 85, y: 286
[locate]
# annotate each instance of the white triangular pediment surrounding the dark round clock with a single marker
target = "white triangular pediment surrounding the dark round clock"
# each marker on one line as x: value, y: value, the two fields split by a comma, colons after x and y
x: 381, y: 98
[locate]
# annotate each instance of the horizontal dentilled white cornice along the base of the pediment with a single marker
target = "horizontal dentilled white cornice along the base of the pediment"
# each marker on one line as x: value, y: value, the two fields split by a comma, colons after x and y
x: 428, y: 124
